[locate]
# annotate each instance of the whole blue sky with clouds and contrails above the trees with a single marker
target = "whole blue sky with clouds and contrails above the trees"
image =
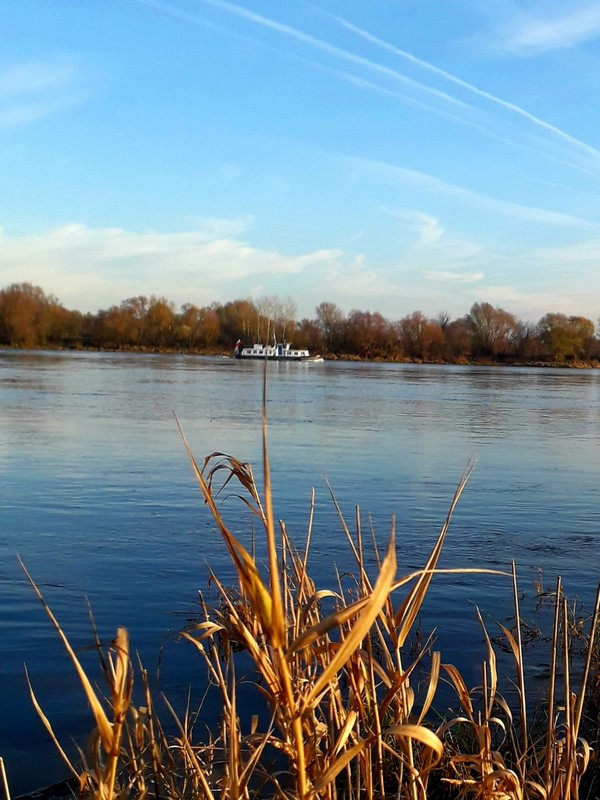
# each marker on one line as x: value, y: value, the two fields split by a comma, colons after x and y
x: 385, y: 155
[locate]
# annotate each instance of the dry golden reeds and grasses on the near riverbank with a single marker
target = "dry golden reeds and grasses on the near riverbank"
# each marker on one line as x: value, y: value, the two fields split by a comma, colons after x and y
x: 348, y: 691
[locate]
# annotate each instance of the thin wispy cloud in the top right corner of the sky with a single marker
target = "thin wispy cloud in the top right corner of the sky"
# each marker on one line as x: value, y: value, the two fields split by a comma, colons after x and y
x: 531, y: 35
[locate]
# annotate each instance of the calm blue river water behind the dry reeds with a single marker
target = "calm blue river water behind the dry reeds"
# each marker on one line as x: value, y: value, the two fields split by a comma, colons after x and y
x: 99, y: 500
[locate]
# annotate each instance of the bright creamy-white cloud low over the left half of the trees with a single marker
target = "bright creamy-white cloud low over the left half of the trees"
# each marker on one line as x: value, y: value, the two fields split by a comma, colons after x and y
x: 92, y: 268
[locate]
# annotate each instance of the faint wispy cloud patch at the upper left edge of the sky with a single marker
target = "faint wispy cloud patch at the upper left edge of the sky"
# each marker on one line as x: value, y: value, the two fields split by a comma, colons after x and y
x: 34, y: 90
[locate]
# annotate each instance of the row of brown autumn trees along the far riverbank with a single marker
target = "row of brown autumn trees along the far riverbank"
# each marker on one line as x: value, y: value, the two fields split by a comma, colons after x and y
x: 30, y: 318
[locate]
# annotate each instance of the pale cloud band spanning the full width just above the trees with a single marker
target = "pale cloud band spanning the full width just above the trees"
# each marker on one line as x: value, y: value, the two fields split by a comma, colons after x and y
x: 92, y: 268
